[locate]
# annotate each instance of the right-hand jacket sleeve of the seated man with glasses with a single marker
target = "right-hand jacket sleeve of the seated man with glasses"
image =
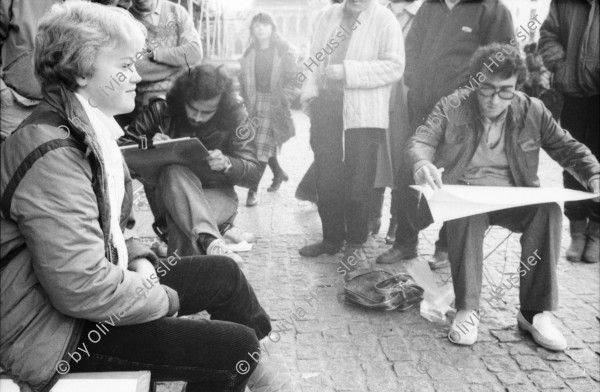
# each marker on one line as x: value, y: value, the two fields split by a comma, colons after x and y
x: 572, y: 155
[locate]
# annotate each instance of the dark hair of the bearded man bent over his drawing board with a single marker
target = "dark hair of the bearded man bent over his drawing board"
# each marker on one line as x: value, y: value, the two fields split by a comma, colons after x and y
x: 204, y: 82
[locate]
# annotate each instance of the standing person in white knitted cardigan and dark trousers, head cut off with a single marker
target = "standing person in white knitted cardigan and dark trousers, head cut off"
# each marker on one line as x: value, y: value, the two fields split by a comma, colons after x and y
x: 357, y: 53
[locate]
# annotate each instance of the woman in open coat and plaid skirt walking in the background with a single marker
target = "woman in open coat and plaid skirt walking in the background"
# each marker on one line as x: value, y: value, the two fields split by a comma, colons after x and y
x: 269, y: 85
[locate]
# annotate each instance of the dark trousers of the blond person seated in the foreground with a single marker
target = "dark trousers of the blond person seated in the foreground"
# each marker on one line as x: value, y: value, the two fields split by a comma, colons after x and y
x: 204, y: 353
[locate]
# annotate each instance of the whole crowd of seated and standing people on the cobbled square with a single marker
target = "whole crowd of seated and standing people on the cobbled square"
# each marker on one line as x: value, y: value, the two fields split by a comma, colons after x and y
x: 398, y: 93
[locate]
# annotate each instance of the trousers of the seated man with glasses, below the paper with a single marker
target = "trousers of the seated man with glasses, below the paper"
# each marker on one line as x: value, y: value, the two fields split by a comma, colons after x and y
x: 541, y: 225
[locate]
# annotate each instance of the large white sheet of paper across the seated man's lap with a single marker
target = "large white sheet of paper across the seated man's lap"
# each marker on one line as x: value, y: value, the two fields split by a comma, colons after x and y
x: 458, y: 201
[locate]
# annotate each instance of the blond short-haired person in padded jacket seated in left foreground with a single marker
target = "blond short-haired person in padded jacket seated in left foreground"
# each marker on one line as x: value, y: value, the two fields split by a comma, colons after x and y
x: 75, y: 294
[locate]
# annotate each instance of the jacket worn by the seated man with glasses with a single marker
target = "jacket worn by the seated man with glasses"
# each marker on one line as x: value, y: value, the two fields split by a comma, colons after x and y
x: 451, y: 135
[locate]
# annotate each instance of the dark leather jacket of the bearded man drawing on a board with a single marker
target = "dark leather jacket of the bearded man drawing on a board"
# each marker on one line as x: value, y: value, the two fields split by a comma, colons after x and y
x: 225, y: 132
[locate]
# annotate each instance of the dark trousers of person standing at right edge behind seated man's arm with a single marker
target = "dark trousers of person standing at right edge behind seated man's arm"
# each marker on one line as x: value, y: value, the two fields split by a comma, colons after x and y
x: 581, y: 118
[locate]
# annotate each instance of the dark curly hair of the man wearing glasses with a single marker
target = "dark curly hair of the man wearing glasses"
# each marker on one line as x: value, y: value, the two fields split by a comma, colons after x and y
x: 508, y: 59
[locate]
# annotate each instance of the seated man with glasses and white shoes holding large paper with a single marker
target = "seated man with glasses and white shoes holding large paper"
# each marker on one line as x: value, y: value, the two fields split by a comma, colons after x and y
x: 493, y: 138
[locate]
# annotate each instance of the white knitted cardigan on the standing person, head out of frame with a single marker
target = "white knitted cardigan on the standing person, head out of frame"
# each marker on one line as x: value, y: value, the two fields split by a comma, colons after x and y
x: 374, y: 61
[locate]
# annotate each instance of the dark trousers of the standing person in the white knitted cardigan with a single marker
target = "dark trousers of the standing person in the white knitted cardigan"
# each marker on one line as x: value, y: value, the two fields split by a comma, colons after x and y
x: 345, y: 166
